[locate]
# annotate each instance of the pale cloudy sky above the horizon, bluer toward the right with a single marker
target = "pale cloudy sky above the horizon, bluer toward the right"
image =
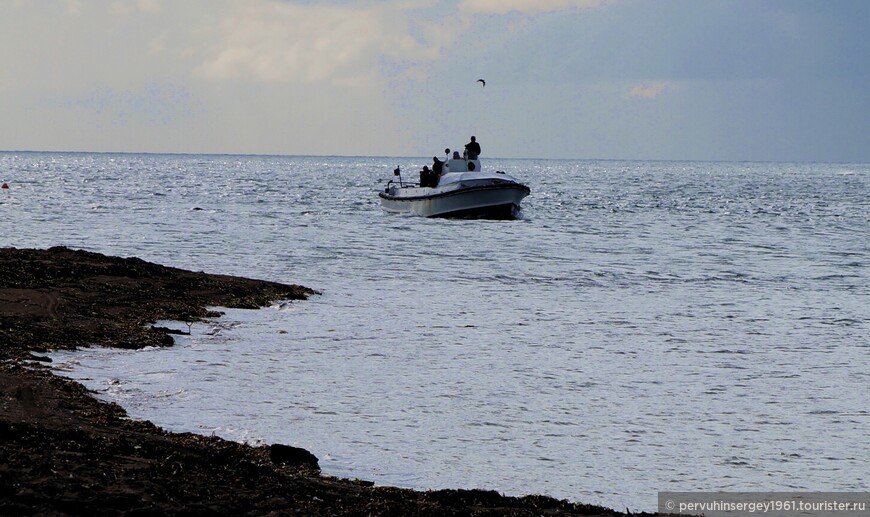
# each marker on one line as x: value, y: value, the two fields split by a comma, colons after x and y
x: 736, y: 80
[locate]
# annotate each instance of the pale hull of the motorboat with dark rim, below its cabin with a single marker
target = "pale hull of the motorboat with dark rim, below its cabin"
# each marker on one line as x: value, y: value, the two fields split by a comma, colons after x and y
x: 489, y: 201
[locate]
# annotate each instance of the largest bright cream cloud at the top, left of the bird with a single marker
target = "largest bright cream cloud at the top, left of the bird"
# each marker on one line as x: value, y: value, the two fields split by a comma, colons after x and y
x: 275, y: 42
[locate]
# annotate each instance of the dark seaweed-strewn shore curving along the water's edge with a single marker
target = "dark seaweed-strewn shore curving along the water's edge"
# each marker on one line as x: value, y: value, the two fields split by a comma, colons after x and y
x: 63, y: 452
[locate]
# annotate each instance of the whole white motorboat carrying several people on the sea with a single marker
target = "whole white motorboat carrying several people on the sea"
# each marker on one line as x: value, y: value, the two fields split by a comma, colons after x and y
x: 459, y: 192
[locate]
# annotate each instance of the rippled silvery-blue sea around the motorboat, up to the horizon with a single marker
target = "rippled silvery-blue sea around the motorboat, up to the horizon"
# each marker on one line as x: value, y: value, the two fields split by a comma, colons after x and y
x: 644, y: 326
